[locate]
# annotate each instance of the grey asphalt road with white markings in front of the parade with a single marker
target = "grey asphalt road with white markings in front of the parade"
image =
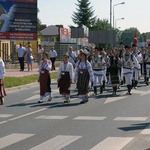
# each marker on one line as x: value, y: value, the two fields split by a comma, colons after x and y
x: 104, y: 123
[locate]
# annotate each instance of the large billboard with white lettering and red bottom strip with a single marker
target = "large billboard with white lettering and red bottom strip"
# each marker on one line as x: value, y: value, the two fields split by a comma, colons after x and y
x: 18, y: 19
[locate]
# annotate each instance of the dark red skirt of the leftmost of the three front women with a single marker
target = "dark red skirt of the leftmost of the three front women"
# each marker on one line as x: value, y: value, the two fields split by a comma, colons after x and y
x: 45, y: 82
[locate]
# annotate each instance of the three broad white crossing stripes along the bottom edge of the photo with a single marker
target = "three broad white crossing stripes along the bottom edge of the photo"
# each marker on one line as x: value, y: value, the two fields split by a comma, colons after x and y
x: 61, y: 141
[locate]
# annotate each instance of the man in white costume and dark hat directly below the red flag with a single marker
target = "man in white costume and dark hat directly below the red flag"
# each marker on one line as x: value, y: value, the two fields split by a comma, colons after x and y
x: 136, y: 70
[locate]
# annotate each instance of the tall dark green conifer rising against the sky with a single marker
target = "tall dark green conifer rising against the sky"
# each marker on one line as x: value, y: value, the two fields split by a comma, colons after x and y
x: 84, y: 14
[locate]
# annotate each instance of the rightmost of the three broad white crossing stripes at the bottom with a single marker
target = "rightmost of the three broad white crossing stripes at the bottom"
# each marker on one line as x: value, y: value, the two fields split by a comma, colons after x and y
x: 113, y: 143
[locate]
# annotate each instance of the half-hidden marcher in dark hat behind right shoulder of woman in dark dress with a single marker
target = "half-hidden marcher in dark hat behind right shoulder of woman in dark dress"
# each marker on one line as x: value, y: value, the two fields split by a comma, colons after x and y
x: 120, y: 52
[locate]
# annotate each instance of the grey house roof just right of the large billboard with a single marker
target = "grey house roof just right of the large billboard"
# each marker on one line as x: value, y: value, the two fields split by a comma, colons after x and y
x: 50, y: 30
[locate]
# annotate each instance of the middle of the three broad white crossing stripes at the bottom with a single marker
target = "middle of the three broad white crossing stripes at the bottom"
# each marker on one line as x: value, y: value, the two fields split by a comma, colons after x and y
x: 56, y: 143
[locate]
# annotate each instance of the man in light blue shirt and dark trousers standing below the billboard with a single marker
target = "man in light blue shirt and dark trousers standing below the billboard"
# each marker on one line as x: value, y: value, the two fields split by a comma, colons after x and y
x: 21, y: 52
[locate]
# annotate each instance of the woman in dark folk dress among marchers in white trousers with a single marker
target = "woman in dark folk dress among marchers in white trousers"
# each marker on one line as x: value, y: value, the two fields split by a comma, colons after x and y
x: 114, y: 63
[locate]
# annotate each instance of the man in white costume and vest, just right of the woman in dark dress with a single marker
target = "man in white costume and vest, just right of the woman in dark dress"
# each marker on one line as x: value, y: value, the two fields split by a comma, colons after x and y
x: 127, y: 62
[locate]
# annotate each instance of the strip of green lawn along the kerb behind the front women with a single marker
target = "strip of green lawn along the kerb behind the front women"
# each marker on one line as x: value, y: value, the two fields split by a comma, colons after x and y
x: 17, y: 81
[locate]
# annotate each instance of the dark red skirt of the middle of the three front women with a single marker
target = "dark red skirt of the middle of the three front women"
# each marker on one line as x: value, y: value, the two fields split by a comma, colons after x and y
x: 64, y: 83
